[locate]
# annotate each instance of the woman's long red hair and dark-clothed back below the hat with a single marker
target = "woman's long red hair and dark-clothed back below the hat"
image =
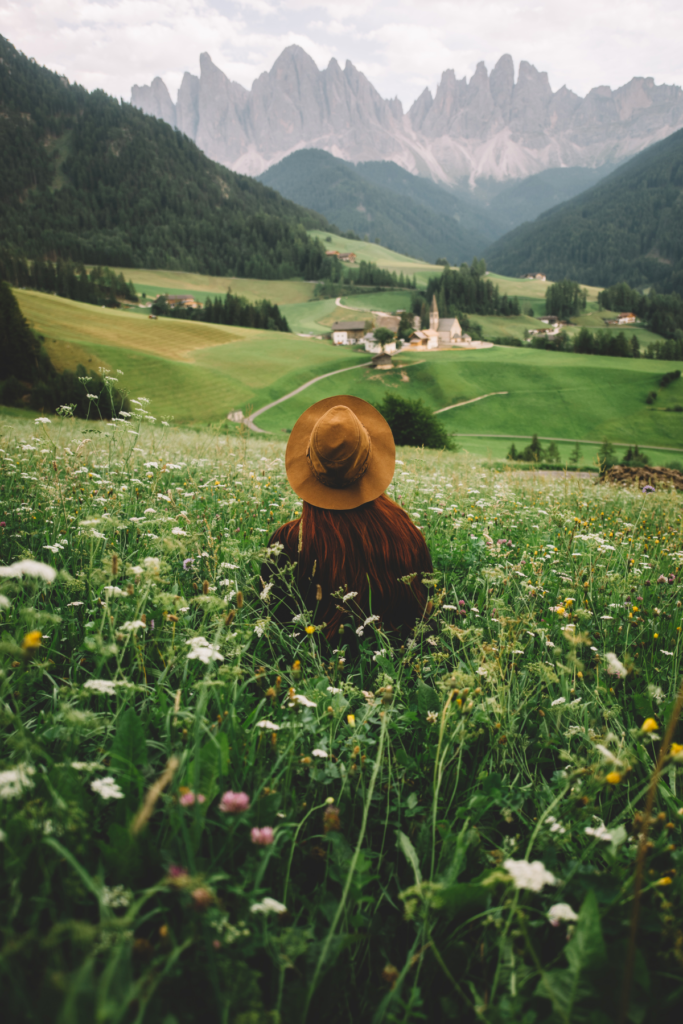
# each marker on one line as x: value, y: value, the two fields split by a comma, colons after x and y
x: 368, y: 550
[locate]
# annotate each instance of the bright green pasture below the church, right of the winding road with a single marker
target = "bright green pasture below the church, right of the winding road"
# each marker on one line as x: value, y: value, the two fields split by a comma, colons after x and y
x: 550, y: 394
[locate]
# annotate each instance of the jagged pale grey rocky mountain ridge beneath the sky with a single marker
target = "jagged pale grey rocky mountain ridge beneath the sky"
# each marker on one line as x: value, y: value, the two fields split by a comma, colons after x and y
x: 493, y: 126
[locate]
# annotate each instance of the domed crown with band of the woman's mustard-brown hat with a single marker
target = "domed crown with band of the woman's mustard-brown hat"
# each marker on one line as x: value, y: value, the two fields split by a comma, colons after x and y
x: 339, y: 448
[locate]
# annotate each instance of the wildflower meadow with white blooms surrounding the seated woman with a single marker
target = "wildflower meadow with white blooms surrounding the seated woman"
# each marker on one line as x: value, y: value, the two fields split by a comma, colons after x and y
x: 210, y: 816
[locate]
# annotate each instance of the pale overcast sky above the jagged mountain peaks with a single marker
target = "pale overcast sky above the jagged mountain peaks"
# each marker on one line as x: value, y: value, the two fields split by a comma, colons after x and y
x: 402, y: 46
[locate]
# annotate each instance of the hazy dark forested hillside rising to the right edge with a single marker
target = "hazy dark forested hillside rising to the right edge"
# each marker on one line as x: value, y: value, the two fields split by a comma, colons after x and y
x: 628, y: 228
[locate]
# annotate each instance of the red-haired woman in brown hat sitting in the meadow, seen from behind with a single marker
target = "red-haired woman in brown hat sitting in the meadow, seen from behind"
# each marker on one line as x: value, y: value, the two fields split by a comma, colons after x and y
x: 354, y: 553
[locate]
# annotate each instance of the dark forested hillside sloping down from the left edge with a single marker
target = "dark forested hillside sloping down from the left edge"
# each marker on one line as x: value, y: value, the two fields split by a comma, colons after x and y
x: 83, y: 178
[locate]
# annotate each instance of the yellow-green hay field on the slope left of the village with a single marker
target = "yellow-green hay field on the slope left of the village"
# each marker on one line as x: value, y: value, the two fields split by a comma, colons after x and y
x: 194, y: 373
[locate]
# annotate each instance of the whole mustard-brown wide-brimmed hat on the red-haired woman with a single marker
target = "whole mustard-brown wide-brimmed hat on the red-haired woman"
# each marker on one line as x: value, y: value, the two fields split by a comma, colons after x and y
x: 340, y: 454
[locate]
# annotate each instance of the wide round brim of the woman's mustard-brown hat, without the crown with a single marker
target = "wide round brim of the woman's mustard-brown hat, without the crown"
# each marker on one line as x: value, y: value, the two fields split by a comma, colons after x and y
x: 381, y: 464
